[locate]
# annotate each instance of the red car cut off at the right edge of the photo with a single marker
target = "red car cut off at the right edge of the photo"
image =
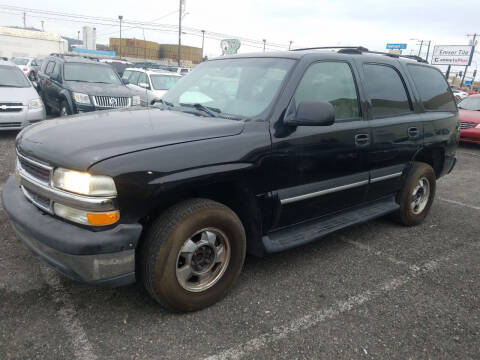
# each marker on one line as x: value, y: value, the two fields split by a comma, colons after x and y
x: 469, y: 114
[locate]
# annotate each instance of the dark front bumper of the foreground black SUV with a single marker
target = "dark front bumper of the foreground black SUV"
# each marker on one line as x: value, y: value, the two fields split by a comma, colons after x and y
x: 104, y: 257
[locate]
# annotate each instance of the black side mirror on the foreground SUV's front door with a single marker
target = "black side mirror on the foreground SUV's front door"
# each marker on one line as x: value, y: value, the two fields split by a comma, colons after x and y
x: 310, y: 113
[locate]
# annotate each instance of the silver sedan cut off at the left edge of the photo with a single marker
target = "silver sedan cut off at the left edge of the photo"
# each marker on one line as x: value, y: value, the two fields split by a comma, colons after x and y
x: 20, y: 104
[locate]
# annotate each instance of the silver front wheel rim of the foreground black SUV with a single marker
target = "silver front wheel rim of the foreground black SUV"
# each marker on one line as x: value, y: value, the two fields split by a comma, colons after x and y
x: 203, y: 259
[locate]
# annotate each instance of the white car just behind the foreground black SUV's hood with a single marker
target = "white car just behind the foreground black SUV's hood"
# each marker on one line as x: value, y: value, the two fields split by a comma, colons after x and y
x: 150, y: 85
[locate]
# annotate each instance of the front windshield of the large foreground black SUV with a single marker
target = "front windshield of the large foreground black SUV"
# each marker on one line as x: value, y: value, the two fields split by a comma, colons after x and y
x: 243, y: 87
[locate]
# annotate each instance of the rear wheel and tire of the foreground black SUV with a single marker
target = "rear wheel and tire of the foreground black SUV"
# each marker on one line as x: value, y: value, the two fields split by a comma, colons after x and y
x: 417, y: 195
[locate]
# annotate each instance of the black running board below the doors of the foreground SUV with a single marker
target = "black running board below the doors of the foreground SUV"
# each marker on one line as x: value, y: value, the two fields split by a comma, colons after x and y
x: 306, y: 232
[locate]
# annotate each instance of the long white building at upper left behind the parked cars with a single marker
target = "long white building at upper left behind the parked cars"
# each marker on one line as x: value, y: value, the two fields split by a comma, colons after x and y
x: 30, y: 43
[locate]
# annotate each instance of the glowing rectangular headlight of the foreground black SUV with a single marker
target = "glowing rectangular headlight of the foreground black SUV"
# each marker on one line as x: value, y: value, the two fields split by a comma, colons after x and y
x: 84, y: 183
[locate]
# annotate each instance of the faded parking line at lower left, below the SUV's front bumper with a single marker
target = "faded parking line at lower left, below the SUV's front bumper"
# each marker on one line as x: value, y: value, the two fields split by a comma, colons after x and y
x: 67, y: 315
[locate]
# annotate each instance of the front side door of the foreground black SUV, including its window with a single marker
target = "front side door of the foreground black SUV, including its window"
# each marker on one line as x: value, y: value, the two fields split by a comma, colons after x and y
x: 329, y: 161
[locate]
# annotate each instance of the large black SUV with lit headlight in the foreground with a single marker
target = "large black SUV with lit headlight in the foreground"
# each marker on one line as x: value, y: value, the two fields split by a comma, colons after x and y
x: 257, y: 153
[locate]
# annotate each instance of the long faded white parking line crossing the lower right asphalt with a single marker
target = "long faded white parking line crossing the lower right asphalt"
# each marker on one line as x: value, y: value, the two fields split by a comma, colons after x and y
x: 317, y: 317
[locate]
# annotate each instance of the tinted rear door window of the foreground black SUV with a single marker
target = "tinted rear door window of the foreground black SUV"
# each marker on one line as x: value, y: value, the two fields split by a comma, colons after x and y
x: 386, y: 90
